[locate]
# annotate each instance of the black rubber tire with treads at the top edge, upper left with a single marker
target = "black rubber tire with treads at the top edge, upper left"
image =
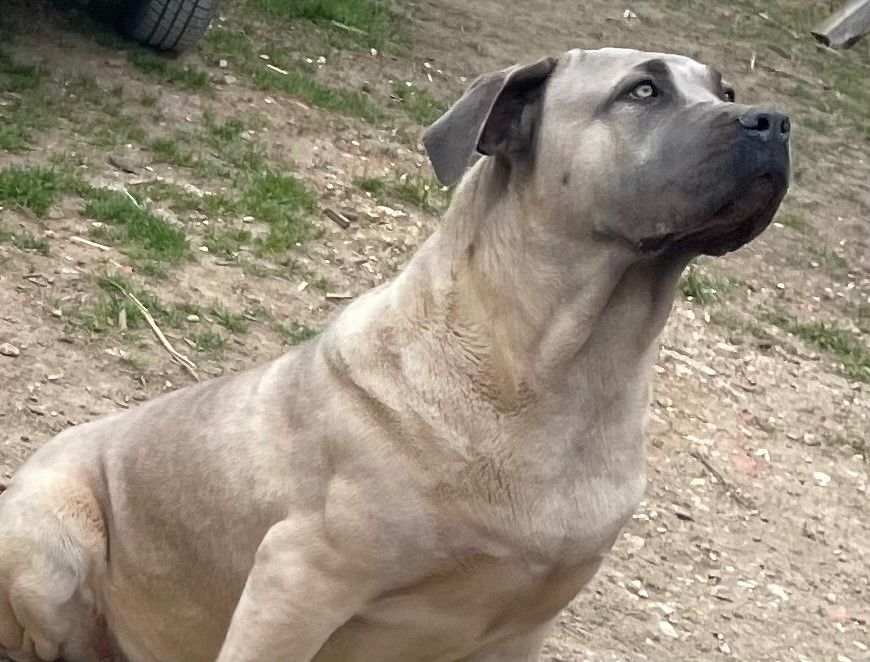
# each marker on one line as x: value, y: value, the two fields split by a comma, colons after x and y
x: 169, y: 25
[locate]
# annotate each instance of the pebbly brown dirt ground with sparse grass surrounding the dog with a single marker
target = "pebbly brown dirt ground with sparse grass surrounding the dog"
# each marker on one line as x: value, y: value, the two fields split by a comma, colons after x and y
x: 753, y: 542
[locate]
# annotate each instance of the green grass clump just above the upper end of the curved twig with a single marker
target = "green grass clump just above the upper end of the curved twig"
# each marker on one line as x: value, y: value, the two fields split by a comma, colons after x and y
x: 125, y: 222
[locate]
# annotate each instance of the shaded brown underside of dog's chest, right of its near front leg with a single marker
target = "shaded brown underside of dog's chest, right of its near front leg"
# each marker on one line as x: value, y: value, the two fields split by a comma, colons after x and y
x: 455, y: 612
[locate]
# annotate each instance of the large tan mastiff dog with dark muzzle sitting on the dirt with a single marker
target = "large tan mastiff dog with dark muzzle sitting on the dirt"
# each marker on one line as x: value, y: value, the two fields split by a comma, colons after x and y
x: 440, y: 472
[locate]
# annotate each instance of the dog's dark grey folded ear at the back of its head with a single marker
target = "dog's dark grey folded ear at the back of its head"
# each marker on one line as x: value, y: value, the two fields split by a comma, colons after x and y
x: 496, y: 115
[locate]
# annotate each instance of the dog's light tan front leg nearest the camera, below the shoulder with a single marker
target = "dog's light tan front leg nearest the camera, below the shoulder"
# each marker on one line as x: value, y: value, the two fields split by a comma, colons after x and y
x: 298, y: 593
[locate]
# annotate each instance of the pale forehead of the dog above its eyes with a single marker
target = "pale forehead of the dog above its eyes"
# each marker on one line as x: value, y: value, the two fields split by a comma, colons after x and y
x: 599, y: 71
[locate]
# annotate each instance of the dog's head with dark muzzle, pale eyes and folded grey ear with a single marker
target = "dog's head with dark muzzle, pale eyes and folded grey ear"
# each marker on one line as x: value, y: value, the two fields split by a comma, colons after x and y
x: 649, y: 150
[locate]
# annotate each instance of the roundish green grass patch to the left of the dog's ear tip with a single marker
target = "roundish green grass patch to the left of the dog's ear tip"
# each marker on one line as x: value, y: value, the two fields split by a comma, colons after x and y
x: 284, y: 204
